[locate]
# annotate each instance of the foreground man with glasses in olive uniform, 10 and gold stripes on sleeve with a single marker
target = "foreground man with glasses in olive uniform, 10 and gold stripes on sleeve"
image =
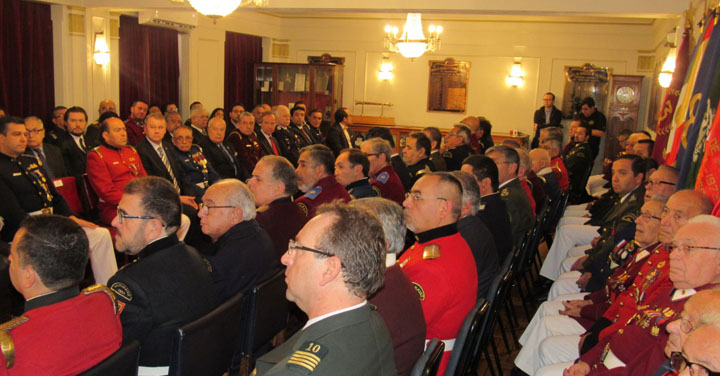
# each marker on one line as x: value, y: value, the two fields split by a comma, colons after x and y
x: 336, y: 262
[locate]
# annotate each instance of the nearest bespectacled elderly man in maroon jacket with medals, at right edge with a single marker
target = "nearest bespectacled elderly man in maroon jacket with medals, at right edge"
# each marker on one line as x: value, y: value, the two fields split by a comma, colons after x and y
x: 638, y: 348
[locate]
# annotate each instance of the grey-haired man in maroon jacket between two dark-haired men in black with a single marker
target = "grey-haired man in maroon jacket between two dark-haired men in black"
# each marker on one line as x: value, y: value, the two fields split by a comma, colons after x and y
x: 382, y: 174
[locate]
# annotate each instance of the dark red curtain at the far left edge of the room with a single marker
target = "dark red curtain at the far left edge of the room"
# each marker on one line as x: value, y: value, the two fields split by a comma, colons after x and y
x: 27, y: 82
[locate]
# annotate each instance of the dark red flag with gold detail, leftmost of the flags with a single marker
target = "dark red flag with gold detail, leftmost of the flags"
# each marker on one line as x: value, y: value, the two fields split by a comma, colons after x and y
x: 670, y: 101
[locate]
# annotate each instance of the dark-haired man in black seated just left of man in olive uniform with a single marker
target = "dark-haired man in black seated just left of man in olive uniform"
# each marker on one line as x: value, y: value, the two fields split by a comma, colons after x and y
x: 492, y: 210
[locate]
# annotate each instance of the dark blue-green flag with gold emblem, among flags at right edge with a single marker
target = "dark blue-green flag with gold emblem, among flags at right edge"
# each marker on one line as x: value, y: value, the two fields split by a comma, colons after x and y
x: 701, y: 113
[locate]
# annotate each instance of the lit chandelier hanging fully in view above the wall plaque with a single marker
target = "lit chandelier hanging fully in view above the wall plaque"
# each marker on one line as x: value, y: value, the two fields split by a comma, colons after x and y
x: 412, y: 43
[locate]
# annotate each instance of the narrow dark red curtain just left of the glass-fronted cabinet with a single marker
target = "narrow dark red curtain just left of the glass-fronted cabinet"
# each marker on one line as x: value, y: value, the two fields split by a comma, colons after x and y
x: 241, y: 52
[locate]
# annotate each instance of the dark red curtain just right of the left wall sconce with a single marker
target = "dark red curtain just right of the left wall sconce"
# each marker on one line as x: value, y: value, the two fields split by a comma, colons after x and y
x: 149, y: 65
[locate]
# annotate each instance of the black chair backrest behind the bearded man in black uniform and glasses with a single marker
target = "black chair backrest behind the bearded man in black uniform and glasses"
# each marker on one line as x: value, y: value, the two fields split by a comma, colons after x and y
x: 206, y: 345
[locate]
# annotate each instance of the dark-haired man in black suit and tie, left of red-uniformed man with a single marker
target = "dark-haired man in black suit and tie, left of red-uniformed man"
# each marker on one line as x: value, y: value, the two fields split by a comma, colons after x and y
x: 77, y: 143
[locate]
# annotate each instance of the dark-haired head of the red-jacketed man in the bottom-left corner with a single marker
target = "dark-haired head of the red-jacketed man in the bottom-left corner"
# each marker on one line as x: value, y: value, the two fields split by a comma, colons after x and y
x: 56, y: 247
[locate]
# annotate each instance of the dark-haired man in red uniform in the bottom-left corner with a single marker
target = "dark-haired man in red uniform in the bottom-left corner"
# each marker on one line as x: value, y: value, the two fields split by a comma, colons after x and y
x: 63, y: 331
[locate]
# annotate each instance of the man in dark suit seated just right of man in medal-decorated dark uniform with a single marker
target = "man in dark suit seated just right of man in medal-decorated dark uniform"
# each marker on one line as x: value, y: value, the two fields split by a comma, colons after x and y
x: 222, y: 157
